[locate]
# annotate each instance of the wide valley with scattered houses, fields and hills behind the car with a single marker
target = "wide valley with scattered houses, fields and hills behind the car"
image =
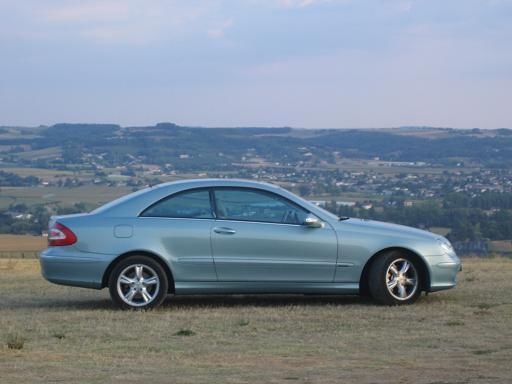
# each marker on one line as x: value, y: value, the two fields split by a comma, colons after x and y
x: 408, y: 175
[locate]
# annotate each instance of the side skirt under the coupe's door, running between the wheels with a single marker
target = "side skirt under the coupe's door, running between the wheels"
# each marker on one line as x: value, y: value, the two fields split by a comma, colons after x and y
x: 233, y: 287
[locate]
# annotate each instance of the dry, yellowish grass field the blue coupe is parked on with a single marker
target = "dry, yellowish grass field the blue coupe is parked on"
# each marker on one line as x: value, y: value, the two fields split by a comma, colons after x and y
x: 52, y: 334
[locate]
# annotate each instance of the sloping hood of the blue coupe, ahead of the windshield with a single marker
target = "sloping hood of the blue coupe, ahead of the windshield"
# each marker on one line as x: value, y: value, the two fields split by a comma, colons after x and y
x: 379, y: 227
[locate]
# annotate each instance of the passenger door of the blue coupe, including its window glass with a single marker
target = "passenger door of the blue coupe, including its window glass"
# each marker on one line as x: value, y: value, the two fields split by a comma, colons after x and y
x: 259, y: 236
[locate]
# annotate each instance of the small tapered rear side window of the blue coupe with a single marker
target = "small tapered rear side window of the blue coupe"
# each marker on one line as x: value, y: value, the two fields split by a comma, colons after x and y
x: 193, y: 204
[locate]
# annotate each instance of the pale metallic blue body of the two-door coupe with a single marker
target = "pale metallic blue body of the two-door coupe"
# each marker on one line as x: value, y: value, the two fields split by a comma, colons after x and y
x: 252, y: 238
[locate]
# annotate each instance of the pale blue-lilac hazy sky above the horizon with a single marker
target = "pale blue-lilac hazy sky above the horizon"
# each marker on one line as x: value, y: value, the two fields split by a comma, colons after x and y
x: 220, y: 63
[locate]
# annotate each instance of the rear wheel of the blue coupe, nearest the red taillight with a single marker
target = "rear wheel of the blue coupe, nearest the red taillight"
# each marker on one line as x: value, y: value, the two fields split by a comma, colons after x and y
x: 138, y: 282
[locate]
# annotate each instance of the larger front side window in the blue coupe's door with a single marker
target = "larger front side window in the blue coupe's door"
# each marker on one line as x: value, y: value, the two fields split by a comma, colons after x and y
x: 250, y: 205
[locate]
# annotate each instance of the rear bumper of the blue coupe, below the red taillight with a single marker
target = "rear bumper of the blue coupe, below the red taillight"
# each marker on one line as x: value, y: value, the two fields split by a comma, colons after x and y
x: 67, y: 266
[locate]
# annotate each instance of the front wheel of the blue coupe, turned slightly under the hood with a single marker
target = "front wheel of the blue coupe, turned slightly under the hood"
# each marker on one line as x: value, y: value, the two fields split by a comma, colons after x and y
x: 395, y: 279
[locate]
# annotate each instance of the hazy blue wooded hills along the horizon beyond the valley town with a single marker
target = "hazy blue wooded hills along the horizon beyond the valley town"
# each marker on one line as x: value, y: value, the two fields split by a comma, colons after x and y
x: 198, y: 146
